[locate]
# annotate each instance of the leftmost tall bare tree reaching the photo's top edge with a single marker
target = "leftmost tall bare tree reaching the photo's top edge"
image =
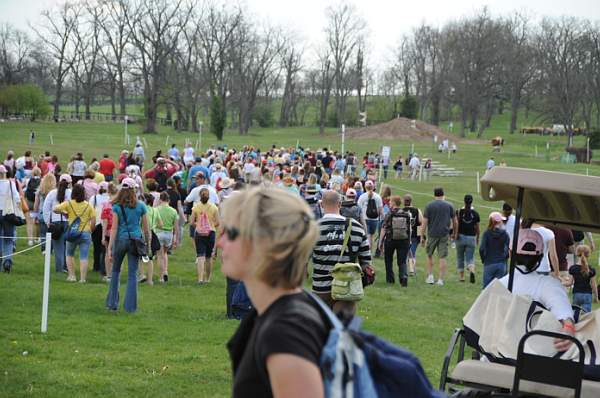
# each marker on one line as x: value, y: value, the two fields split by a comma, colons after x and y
x: 56, y: 34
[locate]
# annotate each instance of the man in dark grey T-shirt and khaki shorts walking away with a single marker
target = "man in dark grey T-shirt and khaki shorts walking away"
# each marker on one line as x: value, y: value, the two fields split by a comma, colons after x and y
x: 438, y: 216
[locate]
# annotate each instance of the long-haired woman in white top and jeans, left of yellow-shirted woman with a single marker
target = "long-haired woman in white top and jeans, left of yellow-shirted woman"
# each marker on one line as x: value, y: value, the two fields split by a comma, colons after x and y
x: 55, y: 197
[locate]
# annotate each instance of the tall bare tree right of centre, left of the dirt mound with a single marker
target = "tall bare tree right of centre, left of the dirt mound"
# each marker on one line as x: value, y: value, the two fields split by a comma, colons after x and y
x: 345, y: 31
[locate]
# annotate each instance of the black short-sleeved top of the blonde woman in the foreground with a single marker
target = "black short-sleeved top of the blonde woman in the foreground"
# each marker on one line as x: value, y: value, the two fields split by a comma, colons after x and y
x: 293, y: 324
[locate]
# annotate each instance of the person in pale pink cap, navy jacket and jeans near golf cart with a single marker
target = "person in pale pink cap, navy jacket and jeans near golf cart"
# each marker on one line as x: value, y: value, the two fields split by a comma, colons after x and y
x: 494, y: 249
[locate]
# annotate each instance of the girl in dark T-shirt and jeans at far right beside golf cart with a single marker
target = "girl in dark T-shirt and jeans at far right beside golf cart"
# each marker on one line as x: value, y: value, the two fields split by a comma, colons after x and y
x: 585, y: 289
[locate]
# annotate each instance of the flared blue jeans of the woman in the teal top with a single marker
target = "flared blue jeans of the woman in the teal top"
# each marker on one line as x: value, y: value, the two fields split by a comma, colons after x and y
x: 119, y: 251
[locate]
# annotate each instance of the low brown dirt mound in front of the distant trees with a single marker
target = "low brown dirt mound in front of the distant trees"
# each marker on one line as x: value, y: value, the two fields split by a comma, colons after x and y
x: 402, y: 129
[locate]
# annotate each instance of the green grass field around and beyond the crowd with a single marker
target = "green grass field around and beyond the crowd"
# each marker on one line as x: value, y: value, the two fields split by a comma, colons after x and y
x: 175, y: 344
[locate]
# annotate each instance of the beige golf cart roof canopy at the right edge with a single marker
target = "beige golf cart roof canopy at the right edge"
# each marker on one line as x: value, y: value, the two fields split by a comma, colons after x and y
x: 549, y: 197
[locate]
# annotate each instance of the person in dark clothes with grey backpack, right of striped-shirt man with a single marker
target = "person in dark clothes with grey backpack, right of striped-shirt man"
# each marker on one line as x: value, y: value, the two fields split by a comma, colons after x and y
x: 396, y: 236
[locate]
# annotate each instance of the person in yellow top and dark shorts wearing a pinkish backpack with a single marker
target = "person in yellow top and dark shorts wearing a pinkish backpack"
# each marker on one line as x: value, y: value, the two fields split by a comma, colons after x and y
x: 205, y: 221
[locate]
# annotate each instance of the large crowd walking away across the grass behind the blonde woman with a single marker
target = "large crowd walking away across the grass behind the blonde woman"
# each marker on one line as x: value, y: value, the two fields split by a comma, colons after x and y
x: 113, y: 201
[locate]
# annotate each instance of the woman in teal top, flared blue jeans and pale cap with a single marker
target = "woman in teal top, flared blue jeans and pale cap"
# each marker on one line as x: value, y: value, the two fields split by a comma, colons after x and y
x: 128, y: 214
